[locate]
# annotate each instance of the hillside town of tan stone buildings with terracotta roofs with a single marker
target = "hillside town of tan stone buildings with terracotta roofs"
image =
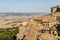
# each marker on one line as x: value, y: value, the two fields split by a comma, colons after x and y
x: 44, y: 27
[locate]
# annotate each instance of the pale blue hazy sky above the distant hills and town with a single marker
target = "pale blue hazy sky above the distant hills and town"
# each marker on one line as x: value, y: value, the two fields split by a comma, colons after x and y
x: 27, y: 5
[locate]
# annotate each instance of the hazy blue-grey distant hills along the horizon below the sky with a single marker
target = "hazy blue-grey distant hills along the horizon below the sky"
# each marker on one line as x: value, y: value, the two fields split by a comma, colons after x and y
x: 22, y: 14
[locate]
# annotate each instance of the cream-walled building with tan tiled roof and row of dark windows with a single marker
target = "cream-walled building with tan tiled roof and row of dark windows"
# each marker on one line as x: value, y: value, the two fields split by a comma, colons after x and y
x: 49, y: 22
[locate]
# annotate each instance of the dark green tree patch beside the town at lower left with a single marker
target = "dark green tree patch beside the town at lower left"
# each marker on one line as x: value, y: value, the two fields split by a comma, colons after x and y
x: 8, y: 33
